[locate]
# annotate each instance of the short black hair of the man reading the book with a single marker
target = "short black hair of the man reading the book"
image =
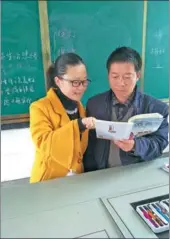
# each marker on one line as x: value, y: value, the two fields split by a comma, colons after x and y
x: 125, y: 54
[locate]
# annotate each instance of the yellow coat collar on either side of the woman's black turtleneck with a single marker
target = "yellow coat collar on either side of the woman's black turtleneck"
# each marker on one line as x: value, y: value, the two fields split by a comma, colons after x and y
x: 57, y: 105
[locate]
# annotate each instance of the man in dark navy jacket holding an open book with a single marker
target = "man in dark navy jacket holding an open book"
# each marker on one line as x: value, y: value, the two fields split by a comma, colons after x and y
x: 120, y: 103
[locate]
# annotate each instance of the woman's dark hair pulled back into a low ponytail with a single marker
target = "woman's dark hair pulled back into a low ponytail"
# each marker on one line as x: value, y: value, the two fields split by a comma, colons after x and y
x: 59, y: 67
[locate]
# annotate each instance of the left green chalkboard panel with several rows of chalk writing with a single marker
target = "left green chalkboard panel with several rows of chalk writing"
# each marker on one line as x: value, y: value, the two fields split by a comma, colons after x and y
x: 22, y: 70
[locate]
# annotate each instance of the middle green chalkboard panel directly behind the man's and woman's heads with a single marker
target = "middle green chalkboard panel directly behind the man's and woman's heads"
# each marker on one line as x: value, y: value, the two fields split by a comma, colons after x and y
x: 93, y: 29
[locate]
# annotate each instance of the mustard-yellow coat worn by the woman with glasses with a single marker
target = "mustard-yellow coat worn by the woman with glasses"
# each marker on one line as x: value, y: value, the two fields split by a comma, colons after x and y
x: 57, y: 139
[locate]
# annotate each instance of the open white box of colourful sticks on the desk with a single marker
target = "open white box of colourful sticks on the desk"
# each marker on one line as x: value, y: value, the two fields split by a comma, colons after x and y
x: 155, y: 214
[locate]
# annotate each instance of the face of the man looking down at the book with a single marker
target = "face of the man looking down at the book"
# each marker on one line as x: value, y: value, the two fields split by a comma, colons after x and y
x: 122, y: 78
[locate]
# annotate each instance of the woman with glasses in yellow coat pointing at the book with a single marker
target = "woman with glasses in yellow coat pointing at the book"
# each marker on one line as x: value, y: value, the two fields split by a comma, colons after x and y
x: 58, y: 124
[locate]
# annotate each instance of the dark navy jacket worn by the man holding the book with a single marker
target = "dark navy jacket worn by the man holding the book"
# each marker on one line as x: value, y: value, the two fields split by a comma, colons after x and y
x: 146, y: 148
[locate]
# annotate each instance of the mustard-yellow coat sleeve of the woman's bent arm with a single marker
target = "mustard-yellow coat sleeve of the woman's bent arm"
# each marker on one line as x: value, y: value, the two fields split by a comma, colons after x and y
x: 57, y: 145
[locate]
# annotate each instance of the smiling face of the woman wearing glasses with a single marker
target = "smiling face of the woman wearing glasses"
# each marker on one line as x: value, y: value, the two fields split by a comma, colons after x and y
x: 74, y: 83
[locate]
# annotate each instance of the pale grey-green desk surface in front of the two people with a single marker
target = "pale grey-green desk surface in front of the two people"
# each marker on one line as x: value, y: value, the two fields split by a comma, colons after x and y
x: 72, y: 196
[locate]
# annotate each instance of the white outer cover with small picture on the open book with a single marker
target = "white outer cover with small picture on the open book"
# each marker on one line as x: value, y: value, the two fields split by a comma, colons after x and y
x: 113, y: 130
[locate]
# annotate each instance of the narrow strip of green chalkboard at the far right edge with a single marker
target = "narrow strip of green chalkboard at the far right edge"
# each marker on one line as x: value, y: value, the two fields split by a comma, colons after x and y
x: 156, y: 64
